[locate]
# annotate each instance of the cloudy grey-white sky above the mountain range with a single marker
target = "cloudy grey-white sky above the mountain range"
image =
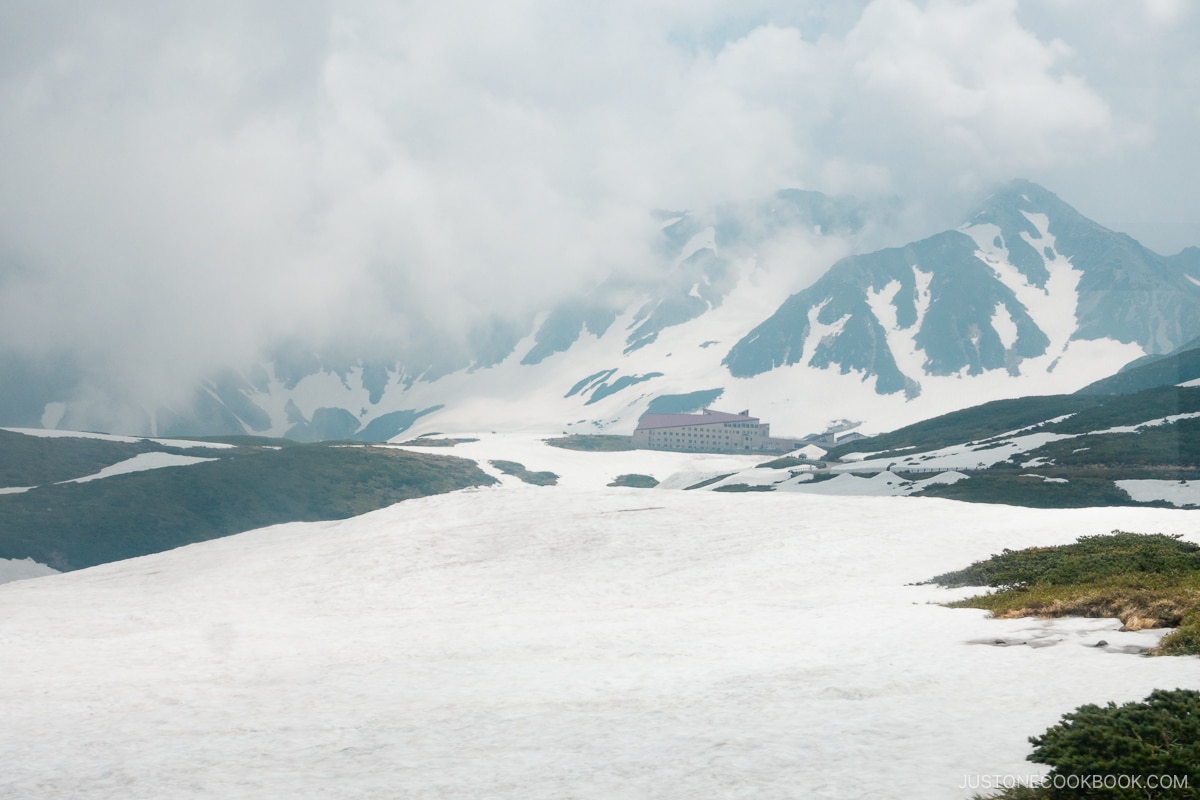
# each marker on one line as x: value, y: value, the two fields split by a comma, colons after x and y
x: 182, y: 184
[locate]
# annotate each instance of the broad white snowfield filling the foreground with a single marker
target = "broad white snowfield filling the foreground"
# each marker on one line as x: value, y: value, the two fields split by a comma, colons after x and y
x: 568, y: 641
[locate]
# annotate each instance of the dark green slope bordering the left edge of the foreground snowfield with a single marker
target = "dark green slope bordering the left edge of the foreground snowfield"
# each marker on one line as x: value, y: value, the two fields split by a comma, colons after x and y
x: 75, y: 526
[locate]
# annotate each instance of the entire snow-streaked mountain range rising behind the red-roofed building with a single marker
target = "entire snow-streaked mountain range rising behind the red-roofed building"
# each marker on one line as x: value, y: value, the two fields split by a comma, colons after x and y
x: 1027, y: 298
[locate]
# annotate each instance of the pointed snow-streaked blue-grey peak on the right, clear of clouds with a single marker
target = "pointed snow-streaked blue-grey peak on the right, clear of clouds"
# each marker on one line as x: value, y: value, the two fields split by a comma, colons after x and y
x: 1016, y: 290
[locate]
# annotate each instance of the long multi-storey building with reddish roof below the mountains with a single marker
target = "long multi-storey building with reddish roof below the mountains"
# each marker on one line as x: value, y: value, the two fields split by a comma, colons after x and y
x: 710, y: 431
